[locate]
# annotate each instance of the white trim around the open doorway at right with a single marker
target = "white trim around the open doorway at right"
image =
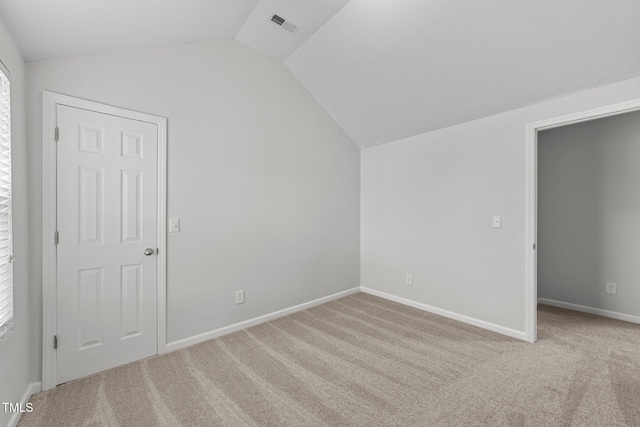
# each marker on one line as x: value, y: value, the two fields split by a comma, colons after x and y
x: 531, y: 197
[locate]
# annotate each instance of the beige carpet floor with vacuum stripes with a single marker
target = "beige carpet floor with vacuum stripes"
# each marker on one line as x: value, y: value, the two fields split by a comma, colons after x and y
x: 365, y: 361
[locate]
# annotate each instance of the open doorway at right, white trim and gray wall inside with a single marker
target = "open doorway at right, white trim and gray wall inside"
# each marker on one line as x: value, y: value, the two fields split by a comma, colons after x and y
x: 565, y: 218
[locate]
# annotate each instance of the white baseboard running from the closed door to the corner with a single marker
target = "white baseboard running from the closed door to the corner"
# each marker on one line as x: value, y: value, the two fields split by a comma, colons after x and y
x: 196, y: 339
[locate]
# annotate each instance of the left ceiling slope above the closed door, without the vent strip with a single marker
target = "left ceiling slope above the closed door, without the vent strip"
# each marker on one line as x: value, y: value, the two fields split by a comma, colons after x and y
x: 59, y: 28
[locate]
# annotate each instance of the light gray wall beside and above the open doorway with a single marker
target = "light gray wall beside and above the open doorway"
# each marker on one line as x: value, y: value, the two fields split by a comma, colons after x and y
x: 427, y: 206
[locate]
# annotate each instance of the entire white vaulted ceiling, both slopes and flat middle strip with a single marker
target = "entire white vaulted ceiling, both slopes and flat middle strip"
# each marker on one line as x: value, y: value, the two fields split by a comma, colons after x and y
x: 383, y: 69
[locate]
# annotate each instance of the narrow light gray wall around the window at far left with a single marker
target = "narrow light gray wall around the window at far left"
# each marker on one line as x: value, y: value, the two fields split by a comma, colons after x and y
x: 19, y: 359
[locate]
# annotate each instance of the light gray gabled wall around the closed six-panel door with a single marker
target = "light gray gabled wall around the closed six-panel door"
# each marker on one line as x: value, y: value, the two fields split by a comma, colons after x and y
x: 265, y: 183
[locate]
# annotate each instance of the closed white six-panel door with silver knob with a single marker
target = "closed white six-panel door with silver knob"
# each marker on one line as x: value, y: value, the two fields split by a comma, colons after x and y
x: 107, y: 184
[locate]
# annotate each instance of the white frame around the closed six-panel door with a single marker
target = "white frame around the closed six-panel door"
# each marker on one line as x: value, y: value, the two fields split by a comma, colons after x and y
x: 51, y: 101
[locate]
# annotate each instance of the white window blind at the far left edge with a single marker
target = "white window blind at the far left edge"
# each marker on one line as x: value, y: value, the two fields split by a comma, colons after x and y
x: 6, y: 246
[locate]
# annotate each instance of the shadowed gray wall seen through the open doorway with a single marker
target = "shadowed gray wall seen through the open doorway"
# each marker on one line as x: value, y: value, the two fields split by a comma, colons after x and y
x: 589, y: 213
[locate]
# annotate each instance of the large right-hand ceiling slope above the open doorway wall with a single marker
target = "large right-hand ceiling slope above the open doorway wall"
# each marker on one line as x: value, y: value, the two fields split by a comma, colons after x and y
x: 391, y: 69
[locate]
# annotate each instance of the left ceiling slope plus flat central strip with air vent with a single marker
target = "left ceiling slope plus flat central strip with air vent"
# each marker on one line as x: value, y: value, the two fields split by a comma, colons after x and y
x: 59, y: 28
